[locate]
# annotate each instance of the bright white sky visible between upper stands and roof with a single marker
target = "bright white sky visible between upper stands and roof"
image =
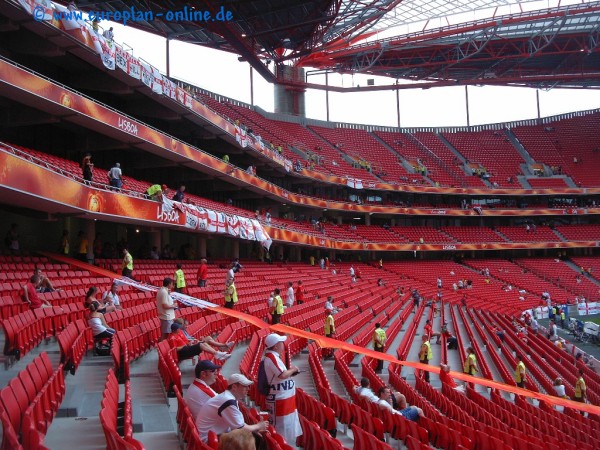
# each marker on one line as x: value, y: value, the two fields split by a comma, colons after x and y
x: 223, y: 74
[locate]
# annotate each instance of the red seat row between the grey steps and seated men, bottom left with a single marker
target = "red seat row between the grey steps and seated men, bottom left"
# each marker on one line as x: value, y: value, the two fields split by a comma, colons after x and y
x: 111, y: 414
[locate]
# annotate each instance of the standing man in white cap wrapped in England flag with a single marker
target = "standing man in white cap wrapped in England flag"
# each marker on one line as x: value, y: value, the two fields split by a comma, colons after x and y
x: 281, y: 401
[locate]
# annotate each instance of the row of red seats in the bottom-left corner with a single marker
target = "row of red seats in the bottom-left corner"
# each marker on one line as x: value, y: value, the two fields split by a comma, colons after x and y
x: 30, y: 402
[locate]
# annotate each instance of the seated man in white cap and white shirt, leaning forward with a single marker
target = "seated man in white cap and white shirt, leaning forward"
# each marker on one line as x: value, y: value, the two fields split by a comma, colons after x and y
x: 222, y: 413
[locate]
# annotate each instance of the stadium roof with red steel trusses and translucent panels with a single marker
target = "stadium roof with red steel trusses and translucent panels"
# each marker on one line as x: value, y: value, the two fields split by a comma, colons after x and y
x: 424, y: 43
